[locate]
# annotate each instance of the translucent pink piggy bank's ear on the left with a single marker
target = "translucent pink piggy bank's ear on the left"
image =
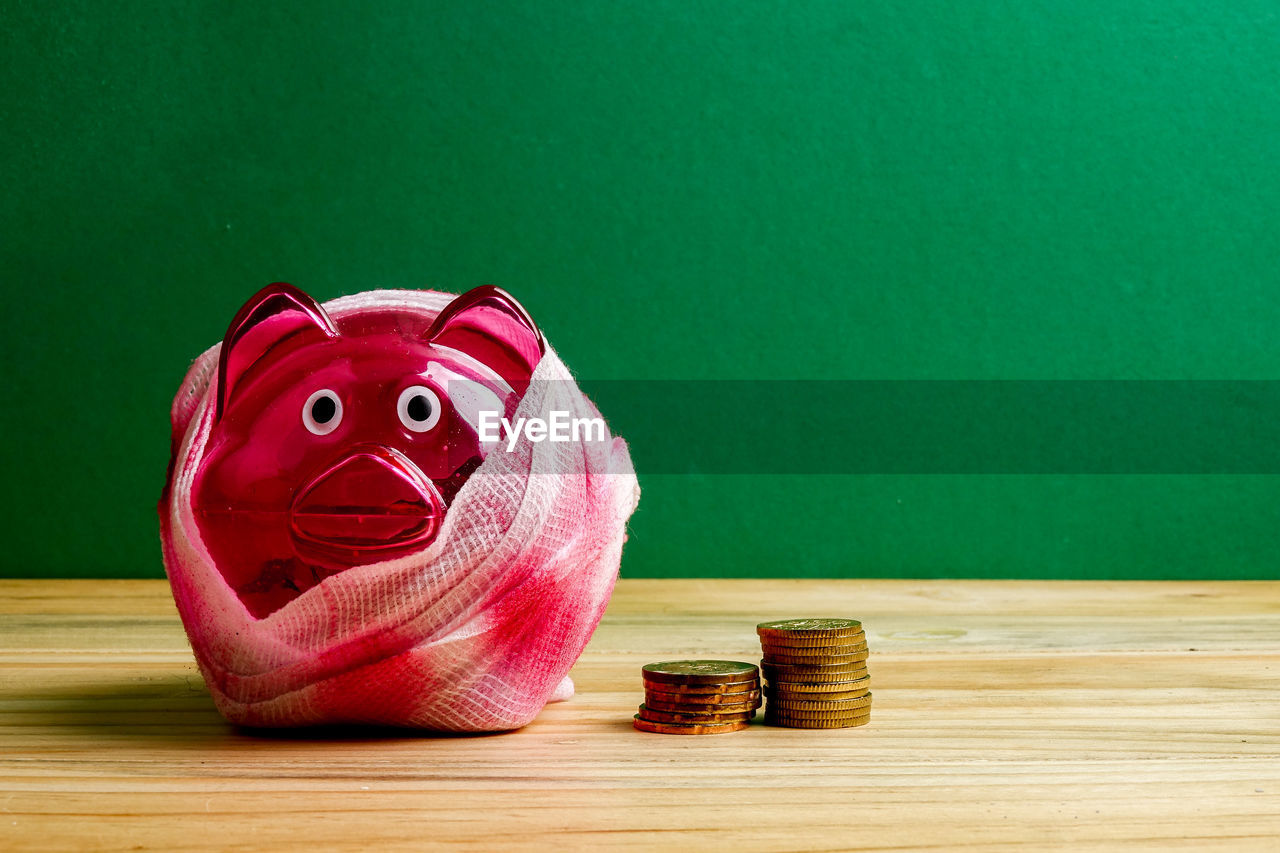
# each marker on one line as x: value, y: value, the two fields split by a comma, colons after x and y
x: 277, y: 320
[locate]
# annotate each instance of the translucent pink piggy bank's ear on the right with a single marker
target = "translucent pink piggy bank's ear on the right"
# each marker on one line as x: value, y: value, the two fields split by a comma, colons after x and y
x: 488, y: 325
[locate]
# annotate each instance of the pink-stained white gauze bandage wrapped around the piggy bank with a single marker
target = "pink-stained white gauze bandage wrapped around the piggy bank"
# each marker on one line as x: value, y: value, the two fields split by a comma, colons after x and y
x: 476, y: 633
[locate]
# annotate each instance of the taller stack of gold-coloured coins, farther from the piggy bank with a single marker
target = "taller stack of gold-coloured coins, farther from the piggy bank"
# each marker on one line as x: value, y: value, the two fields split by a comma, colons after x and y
x: 816, y: 673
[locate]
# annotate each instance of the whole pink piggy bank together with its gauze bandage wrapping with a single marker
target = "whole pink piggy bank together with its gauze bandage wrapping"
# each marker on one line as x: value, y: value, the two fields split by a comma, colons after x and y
x: 392, y: 509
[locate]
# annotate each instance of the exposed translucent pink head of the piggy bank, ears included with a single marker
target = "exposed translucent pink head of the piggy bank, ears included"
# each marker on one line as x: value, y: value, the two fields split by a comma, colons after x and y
x: 344, y: 444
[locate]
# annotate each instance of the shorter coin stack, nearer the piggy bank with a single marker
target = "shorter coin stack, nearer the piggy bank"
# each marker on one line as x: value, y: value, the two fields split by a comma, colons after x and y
x: 698, y: 697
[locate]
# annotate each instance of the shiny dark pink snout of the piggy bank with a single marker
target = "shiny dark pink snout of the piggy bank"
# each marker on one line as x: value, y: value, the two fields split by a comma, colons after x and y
x: 372, y: 500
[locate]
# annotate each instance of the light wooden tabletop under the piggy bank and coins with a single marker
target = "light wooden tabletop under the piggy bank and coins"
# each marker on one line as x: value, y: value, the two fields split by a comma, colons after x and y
x: 1048, y: 715
